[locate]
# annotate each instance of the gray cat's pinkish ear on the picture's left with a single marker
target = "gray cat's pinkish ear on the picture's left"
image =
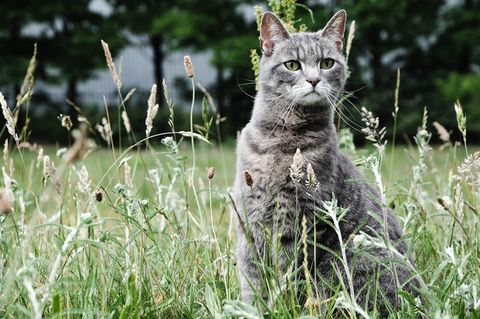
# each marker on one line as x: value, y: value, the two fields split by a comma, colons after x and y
x: 272, y: 31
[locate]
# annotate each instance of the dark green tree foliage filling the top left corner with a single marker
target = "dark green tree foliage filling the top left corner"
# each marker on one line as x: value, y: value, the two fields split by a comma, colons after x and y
x: 68, y: 35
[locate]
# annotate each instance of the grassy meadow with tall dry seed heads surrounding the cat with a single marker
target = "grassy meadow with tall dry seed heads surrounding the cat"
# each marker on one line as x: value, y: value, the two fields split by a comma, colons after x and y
x: 148, y: 230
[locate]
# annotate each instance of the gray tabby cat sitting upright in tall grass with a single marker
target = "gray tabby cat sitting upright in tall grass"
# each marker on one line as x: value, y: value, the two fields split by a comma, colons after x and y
x: 302, y: 75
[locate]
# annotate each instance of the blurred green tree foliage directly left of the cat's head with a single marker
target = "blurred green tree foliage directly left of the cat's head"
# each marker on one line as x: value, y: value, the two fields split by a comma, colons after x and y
x: 197, y: 25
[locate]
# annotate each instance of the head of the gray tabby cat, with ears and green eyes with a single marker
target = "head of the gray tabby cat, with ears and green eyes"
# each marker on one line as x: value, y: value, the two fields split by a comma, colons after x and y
x: 305, y: 68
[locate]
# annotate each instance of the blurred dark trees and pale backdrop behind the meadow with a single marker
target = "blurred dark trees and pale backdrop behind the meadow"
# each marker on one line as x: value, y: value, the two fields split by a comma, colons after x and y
x: 435, y: 44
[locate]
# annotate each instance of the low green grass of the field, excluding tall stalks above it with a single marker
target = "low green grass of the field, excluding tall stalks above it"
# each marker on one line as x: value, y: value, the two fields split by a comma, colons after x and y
x: 143, y: 253
